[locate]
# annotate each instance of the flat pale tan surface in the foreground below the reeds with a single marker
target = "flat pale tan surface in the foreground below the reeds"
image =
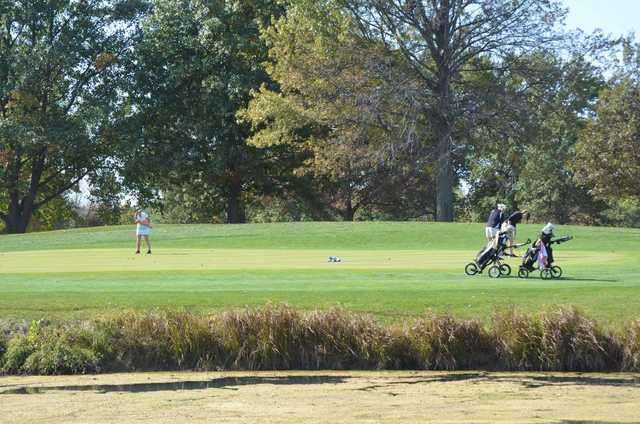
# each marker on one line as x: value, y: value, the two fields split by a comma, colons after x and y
x: 323, y: 397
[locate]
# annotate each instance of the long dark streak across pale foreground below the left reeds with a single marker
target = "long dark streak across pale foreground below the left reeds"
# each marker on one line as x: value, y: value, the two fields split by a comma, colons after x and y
x: 228, y: 383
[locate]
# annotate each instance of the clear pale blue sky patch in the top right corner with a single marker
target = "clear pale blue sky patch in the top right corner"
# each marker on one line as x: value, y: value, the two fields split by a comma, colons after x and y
x: 616, y: 17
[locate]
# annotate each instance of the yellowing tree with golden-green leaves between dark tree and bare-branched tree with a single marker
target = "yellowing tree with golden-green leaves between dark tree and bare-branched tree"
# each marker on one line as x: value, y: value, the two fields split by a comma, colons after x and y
x: 345, y: 100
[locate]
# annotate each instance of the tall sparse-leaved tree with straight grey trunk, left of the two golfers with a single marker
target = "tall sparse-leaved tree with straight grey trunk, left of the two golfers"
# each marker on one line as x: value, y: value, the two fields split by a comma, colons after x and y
x: 440, y: 39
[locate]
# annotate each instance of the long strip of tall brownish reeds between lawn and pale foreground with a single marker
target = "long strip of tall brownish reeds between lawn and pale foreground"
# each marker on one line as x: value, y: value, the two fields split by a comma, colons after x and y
x: 283, y: 338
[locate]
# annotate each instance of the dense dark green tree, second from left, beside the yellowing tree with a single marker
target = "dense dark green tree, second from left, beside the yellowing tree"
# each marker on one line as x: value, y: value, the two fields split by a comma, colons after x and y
x: 196, y: 65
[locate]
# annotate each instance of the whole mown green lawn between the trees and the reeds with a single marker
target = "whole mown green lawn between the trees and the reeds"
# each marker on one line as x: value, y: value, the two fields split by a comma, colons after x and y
x: 392, y: 270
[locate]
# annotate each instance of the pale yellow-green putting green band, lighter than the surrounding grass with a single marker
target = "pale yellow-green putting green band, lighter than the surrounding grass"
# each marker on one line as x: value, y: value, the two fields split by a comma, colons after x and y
x: 121, y: 260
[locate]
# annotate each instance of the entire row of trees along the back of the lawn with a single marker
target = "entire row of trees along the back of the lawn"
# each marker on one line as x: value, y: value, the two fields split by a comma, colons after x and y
x: 258, y: 110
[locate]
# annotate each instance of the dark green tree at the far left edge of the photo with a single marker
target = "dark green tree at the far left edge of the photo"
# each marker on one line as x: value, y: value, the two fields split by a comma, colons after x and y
x: 59, y: 69
